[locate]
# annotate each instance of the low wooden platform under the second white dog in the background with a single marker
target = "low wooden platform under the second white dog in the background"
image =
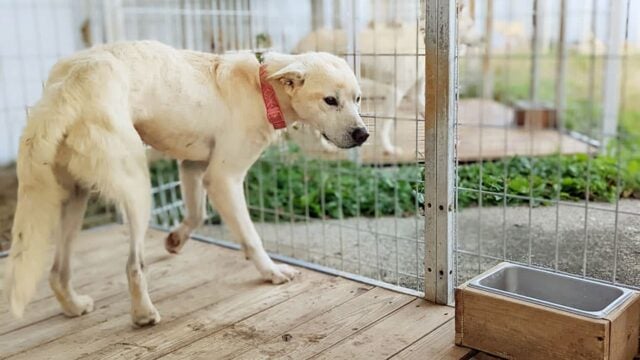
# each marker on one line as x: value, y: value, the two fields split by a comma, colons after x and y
x: 485, y: 132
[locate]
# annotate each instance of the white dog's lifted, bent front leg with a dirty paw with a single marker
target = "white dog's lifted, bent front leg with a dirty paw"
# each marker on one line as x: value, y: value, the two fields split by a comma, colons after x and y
x: 193, y: 196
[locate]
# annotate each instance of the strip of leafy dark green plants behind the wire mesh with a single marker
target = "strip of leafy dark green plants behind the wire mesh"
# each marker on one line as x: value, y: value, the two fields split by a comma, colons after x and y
x: 292, y: 187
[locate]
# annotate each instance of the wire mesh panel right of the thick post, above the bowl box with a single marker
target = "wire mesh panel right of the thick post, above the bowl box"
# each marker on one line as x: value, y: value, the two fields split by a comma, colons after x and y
x: 548, y: 139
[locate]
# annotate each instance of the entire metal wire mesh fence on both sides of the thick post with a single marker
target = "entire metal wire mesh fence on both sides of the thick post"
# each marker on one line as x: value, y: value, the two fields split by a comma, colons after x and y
x: 547, y: 135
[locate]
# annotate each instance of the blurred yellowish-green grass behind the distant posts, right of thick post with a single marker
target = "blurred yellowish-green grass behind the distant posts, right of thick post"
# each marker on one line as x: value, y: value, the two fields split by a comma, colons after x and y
x: 583, y: 88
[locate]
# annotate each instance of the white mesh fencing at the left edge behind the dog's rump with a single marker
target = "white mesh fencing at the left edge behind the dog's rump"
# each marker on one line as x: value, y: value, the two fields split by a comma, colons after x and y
x: 35, y: 35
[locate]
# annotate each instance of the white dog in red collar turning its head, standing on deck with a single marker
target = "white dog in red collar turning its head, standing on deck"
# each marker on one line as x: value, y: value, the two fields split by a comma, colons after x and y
x: 214, y: 113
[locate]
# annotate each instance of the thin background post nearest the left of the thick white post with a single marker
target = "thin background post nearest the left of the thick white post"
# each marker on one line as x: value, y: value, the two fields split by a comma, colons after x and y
x: 561, y: 66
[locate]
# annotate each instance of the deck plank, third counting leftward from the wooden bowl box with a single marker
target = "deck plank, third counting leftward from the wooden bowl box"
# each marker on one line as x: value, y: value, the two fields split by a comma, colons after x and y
x: 325, y: 330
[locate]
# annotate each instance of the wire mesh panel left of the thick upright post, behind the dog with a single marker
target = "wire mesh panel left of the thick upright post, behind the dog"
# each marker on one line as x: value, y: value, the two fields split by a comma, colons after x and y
x: 357, y: 211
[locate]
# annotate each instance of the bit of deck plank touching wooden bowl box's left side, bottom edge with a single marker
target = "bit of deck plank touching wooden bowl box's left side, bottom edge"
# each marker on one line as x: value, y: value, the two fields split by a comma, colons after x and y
x: 437, y: 345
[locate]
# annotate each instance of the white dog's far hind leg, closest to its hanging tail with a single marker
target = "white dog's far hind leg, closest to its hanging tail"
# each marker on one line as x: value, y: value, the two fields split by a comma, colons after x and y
x: 60, y: 277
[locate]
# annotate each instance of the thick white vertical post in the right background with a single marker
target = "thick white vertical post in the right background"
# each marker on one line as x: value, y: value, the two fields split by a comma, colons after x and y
x: 612, y: 68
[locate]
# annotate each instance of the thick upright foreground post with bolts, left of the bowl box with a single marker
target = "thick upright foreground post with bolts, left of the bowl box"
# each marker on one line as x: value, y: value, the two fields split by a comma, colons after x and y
x: 440, y: 115
